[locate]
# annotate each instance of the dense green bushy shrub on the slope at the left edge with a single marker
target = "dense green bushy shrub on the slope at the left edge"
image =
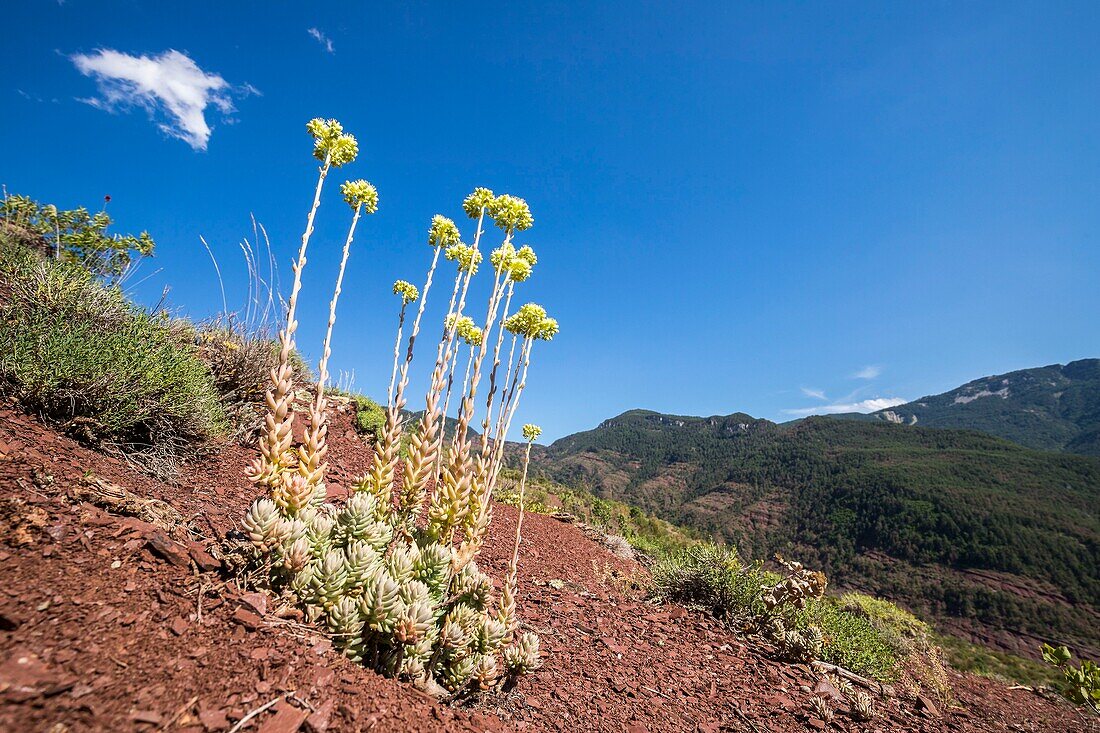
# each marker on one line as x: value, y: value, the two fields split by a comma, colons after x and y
x: 83, y: 356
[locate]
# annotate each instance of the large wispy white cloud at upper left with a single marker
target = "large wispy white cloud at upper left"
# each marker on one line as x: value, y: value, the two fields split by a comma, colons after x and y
x: 170, y: 85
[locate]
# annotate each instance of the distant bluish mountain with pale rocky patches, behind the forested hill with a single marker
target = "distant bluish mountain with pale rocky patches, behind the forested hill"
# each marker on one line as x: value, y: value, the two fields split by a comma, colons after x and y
x: 1055, y: 408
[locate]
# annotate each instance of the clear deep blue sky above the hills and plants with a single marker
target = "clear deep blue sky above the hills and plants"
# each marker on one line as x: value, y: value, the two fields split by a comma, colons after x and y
x: 769, y: 207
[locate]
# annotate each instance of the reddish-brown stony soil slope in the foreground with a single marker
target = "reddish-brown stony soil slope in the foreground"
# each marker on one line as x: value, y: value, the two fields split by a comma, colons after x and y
x: 107, y: 626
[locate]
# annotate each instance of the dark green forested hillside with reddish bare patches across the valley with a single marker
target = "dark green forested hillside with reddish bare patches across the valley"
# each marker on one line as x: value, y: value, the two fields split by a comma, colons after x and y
x: 997, y: 542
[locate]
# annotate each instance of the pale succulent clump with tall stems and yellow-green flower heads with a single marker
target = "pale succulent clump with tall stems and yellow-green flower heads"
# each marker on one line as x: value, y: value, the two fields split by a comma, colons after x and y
x: 393, y: 573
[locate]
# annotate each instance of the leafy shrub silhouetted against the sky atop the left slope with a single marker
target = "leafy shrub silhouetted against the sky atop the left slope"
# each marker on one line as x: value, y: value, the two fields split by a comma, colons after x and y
x: 74, y: 236
